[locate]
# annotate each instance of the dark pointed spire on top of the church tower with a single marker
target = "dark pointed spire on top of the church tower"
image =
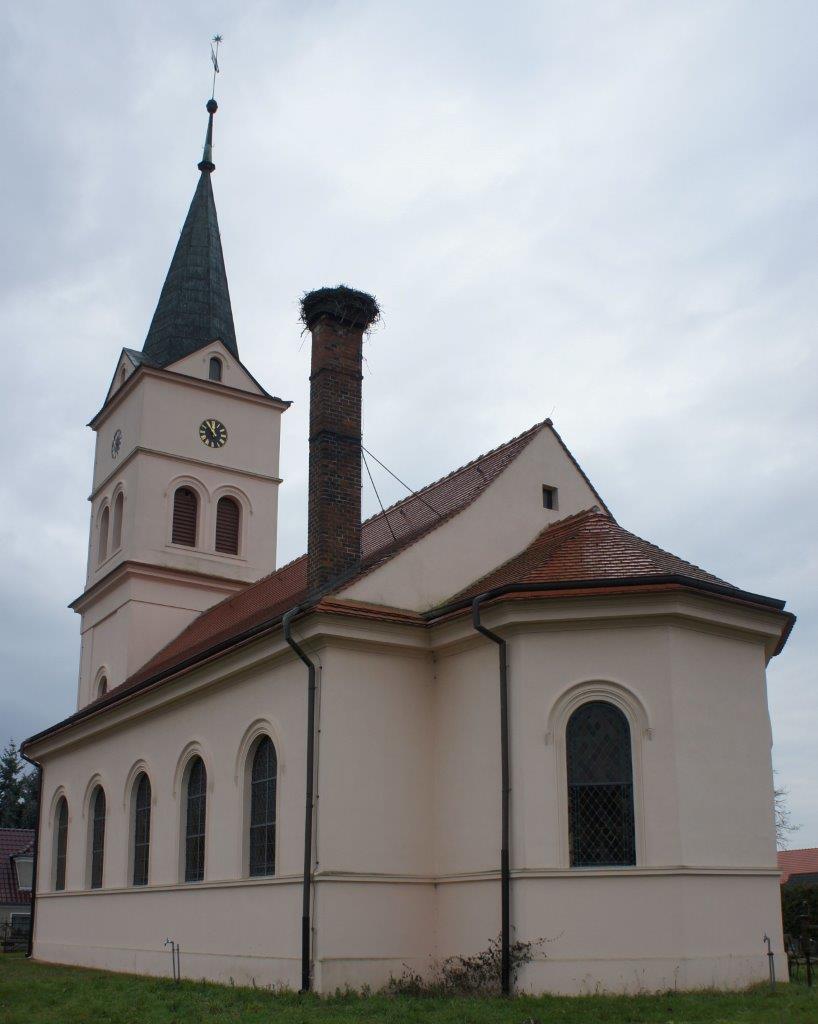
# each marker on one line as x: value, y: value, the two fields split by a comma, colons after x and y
x: 194, y: 308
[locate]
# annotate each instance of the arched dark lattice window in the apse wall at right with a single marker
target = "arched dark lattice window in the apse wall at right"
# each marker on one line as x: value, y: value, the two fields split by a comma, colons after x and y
x: 600, y: 787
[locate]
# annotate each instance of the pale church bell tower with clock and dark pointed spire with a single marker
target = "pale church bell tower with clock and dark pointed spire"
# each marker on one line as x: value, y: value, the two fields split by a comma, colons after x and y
x: 186, y: 479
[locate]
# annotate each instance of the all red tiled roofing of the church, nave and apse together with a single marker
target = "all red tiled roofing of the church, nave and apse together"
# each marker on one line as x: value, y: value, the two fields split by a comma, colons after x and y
x: 588, y: 546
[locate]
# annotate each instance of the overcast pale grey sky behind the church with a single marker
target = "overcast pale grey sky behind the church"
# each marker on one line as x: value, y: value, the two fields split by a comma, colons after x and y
x: 606, y: 214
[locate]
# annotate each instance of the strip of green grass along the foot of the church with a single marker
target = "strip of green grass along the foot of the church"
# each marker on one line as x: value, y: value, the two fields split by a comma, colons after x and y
x: 35, y: 994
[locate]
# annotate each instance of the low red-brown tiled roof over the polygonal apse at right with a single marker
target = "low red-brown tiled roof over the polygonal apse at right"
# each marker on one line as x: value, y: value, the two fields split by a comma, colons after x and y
x: 584, y: 547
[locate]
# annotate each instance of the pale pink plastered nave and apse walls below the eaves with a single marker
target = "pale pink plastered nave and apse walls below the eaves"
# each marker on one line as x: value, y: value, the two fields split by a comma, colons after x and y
x: 409, y: 805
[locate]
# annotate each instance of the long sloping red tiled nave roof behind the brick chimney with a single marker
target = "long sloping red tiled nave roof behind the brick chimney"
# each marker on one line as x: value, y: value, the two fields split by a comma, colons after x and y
x: 271, y: 598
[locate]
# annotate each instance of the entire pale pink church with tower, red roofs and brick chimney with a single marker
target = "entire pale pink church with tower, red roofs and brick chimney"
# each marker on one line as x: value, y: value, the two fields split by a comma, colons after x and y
x: 488, y: 712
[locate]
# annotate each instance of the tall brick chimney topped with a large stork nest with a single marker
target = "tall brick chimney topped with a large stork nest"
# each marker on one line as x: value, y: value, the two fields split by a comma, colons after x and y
x: 337, y: 319
